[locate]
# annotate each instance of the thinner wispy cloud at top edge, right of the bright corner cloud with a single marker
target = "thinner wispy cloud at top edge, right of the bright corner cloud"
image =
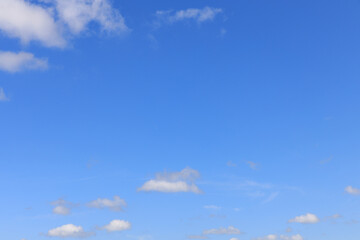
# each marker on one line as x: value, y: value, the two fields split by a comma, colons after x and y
x: 77, y: 14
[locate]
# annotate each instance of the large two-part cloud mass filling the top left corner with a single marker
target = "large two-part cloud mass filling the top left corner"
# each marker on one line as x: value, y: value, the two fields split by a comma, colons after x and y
x: 49, y: 23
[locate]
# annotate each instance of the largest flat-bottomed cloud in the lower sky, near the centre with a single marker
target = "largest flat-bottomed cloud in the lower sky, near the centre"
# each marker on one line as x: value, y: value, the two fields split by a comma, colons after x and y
x: 173, y: 182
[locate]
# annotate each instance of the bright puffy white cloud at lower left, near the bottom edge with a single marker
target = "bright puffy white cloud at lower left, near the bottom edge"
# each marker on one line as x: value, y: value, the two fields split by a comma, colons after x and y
x: 69, y: 231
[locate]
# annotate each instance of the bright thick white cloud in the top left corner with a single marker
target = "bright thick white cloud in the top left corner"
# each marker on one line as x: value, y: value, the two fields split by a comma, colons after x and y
x: 26, y: 21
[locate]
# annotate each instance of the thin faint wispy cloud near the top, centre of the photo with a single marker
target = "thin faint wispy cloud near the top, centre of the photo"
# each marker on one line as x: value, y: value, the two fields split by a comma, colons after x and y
x: 196, y: 14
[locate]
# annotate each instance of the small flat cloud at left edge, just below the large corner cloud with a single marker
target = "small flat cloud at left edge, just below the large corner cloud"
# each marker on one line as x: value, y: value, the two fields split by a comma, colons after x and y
x: 15, y: 62
